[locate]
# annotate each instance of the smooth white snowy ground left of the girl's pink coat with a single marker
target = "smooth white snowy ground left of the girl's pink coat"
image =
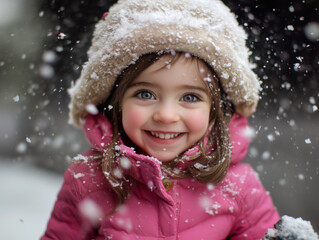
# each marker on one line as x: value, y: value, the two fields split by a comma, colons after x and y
x: 27, y: 197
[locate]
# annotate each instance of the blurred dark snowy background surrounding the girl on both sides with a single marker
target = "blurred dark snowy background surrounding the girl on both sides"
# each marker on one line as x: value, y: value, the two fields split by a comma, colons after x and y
x: 43, y: 45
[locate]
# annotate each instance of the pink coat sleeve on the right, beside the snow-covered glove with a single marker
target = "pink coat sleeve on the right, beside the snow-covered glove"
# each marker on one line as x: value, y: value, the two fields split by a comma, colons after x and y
x: 257, y: 213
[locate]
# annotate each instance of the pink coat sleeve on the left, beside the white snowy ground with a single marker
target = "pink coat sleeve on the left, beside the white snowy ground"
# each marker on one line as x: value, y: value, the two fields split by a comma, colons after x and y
x: 65, y: 221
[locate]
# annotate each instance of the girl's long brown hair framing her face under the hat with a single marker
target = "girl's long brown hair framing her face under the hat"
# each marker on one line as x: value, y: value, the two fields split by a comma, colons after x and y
x: 210, y: 166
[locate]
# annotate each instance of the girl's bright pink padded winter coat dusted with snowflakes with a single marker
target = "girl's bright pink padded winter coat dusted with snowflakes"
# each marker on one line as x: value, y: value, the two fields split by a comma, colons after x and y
x: 237, y: 208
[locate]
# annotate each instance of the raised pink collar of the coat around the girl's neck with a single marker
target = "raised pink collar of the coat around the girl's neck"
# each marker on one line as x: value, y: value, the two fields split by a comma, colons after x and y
x: 146, y: 169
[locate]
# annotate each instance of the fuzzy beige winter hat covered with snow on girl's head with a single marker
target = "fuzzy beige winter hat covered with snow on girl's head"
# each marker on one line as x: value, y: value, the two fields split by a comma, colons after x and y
x: 205, y: 28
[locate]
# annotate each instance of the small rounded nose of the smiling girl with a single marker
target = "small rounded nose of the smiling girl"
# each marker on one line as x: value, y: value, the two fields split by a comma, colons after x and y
x: 166, y: 113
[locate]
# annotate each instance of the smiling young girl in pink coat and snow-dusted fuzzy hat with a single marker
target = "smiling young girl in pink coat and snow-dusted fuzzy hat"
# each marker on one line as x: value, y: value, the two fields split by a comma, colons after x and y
x: 163, y: 100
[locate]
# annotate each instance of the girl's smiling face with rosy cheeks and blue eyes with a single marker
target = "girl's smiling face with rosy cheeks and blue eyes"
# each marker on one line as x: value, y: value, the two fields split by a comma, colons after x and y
x: 165, y: 110
